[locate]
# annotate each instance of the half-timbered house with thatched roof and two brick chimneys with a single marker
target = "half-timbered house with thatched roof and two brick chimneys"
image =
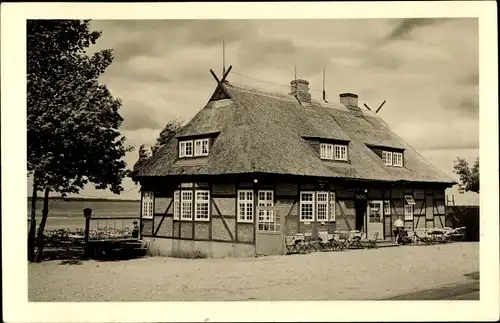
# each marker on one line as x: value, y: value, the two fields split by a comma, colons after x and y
x: 336, y: 166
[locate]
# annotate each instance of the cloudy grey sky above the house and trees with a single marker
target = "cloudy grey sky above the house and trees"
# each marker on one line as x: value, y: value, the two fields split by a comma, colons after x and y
x: 427, y: 71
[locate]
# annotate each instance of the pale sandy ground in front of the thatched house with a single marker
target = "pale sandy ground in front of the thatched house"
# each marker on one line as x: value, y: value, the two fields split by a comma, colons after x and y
x: 348, y: 275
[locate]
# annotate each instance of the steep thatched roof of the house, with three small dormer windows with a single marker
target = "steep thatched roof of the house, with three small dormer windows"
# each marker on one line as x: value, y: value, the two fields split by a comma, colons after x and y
x: 262, y: 132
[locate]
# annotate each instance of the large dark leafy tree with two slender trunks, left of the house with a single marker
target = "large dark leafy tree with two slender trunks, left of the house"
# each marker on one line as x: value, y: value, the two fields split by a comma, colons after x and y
x: 72, y: 120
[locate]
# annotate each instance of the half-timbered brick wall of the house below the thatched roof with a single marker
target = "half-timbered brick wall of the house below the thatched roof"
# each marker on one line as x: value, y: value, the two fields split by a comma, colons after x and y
x: 223, y: 226
